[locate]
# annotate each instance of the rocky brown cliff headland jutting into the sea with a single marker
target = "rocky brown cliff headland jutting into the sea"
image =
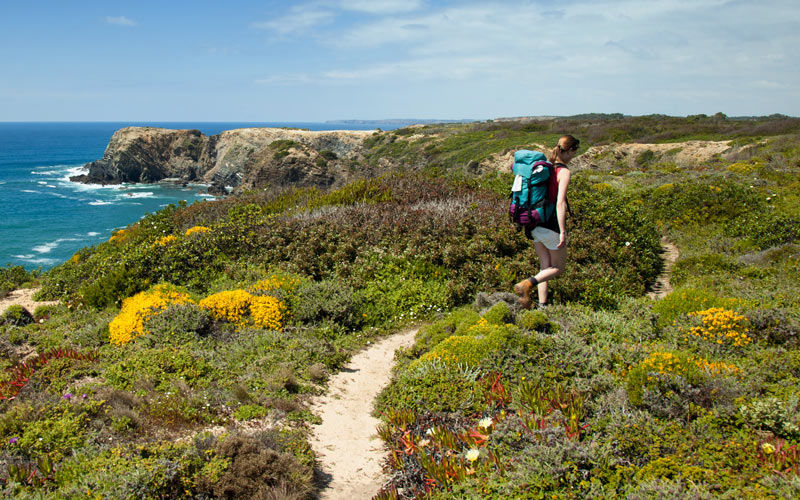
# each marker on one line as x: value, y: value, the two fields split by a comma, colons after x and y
x: 244, y: 158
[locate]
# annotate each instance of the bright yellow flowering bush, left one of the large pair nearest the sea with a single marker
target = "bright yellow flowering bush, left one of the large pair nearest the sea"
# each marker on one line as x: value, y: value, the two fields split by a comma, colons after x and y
x: 136, y: 310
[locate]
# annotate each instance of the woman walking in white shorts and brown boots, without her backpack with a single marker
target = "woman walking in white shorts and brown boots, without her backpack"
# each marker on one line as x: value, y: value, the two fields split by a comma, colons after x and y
x: 550, y: 237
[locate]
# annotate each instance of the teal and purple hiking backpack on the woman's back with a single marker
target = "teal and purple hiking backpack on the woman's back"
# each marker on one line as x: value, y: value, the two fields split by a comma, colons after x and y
x: 530, y: 205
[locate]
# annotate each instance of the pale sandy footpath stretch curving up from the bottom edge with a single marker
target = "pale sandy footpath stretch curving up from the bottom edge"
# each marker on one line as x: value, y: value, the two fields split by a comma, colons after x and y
x: 346, y: 444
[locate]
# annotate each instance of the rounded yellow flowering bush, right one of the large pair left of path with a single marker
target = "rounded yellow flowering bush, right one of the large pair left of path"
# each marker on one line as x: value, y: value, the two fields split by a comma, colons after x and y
x: 243, y: 309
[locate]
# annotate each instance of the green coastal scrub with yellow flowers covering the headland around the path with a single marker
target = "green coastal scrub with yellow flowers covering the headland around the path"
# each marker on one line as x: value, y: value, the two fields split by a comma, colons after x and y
x: 185, y: 349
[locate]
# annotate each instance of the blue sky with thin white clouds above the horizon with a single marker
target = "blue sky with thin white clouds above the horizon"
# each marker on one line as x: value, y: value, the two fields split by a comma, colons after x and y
x: 331, y: 59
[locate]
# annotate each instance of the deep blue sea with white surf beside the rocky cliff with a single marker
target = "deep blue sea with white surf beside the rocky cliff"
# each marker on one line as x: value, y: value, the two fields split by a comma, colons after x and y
x: 45, y: 218
